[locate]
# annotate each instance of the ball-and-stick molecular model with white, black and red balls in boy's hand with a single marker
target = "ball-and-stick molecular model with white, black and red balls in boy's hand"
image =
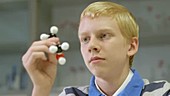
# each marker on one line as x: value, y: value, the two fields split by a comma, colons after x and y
x: 58, y: 49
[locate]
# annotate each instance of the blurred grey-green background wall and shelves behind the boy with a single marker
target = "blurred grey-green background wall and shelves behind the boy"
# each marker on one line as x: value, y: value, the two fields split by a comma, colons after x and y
x: 22, y: 22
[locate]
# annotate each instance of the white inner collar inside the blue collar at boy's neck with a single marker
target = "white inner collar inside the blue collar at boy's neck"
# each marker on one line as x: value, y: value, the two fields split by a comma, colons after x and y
x: 122, y: 87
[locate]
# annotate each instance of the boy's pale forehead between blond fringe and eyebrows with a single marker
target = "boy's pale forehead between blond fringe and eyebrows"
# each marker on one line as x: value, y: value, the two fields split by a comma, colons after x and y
x: 102, y: 23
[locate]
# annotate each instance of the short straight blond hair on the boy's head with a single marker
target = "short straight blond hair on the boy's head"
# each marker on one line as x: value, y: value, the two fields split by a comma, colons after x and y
x: 124, y: 18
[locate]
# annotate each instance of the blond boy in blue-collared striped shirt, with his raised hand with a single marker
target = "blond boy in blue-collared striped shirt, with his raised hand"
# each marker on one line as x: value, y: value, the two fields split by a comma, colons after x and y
x: 108, y: 35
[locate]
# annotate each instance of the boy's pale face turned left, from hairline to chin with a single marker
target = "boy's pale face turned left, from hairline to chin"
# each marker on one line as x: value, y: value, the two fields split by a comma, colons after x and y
x: 103, y: 47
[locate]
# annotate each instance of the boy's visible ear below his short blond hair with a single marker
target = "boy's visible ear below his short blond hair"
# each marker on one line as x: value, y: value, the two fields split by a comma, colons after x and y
x: 133, y: 46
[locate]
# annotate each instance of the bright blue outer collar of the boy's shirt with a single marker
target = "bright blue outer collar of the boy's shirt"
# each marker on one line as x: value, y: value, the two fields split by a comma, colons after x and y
x: 132, y: 88
